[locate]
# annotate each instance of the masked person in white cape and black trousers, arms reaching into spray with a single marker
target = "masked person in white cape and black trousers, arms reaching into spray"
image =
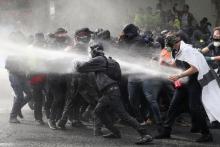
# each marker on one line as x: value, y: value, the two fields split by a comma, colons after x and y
x: 195, y: 67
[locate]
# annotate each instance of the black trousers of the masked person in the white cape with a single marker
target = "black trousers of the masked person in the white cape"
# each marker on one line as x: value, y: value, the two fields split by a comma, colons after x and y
x: 193, y: 92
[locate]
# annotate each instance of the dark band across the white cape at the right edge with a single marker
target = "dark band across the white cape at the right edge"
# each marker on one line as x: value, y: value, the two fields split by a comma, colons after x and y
x: 208, y: 77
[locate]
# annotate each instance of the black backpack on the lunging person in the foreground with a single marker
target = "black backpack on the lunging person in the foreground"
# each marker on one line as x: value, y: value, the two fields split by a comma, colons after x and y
x: 113, y: 69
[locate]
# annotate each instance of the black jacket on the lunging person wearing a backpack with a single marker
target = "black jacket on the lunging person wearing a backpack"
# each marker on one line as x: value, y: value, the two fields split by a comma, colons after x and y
x: 97, y: 65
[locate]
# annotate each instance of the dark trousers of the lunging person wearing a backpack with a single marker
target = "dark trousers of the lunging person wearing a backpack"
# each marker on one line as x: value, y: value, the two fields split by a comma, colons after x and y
x: 111, y: 100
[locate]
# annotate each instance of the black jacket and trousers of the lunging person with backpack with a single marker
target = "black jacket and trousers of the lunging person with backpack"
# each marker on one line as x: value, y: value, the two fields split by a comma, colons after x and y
x: 110, y: 96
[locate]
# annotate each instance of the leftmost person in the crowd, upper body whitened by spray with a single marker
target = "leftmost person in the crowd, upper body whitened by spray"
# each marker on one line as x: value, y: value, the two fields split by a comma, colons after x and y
x: 18, y: 79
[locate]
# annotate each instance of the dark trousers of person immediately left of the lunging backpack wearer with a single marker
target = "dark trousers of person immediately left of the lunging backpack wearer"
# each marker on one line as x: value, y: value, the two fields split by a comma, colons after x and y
x: 80, y: 94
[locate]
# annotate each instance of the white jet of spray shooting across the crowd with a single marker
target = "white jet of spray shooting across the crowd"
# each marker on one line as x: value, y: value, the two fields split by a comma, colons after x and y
x: 39, y: 60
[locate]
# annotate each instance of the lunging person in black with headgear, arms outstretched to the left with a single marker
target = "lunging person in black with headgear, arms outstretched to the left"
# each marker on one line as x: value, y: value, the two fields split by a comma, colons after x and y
x: 108, y: 87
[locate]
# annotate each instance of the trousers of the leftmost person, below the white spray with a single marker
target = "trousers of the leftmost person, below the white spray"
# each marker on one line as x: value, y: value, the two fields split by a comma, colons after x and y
x: 21, y: 88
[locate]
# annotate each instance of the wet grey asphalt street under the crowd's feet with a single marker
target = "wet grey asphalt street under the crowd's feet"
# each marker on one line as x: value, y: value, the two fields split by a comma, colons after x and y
x: 29, y: 134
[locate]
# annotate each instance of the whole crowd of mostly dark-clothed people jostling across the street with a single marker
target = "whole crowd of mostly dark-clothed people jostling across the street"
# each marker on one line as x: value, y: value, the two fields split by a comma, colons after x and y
x: 100, y: 93
